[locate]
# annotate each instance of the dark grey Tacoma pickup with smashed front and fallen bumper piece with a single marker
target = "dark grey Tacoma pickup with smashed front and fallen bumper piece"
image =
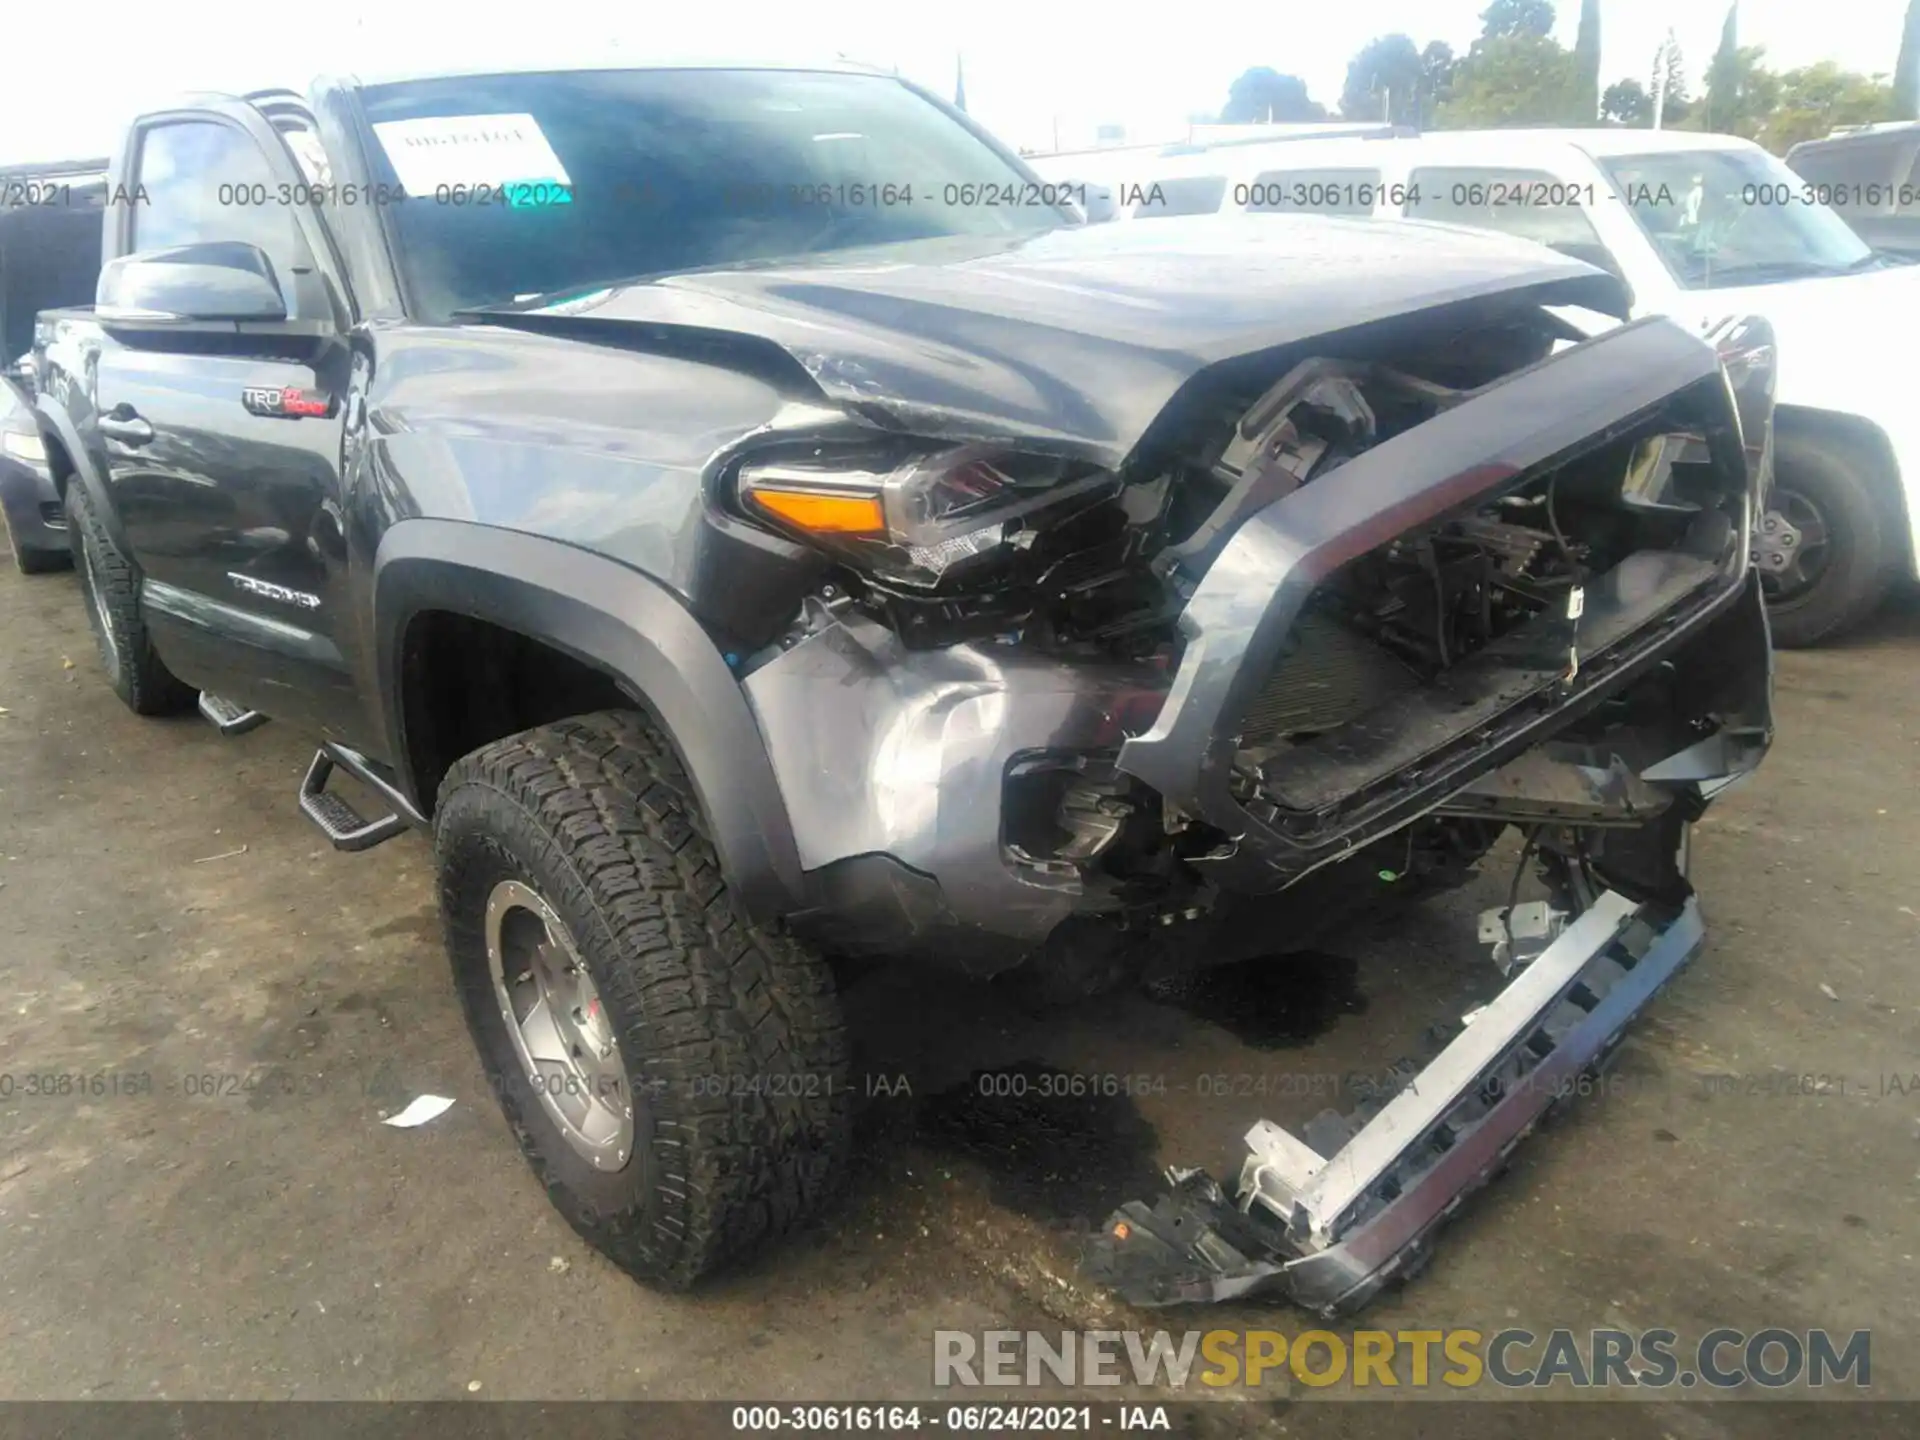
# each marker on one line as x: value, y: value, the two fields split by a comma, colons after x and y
x: 748, y: 519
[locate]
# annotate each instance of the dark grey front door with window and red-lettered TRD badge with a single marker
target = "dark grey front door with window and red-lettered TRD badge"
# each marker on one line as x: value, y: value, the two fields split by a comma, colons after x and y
x: 224, y: 452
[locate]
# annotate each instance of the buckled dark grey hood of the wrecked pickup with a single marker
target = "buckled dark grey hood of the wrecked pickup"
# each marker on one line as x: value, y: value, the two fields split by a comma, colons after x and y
x: 1078, y: 335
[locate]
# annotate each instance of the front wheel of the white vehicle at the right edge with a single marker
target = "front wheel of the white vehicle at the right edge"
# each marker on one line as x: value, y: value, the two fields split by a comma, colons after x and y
x: 1844, y: 567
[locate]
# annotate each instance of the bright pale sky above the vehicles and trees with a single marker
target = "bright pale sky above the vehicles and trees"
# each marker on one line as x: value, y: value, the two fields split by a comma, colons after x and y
x: 1034, y: 70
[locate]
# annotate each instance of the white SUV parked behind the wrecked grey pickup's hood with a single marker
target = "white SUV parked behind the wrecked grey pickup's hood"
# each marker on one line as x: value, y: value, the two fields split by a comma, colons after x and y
x: 1700, y: 228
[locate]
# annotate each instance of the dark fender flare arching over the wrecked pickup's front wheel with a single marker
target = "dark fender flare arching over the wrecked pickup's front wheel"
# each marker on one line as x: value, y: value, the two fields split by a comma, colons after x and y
x: 625, y: 625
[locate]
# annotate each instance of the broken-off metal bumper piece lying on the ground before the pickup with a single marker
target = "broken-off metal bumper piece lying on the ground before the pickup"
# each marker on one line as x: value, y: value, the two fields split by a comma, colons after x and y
x: 1332, y: 1218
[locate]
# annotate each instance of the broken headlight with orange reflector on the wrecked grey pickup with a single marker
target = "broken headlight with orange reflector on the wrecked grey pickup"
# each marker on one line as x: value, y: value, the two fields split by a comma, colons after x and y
x: 917, y: 519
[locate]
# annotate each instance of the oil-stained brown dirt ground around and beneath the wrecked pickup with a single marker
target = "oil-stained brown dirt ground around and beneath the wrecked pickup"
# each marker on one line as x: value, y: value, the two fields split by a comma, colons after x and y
x: 249, y: 1230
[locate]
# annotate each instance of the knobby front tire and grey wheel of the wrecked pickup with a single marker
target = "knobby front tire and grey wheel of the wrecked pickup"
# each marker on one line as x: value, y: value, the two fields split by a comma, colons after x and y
x: 575, y: 876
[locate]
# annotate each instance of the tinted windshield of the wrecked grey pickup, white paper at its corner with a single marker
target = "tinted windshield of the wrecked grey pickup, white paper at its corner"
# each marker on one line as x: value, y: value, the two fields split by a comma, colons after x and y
x: 531, y: 185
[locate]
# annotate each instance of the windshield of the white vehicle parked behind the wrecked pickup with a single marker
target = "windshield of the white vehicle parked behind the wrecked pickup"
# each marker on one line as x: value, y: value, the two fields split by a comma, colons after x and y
x: 1729, y: 218
